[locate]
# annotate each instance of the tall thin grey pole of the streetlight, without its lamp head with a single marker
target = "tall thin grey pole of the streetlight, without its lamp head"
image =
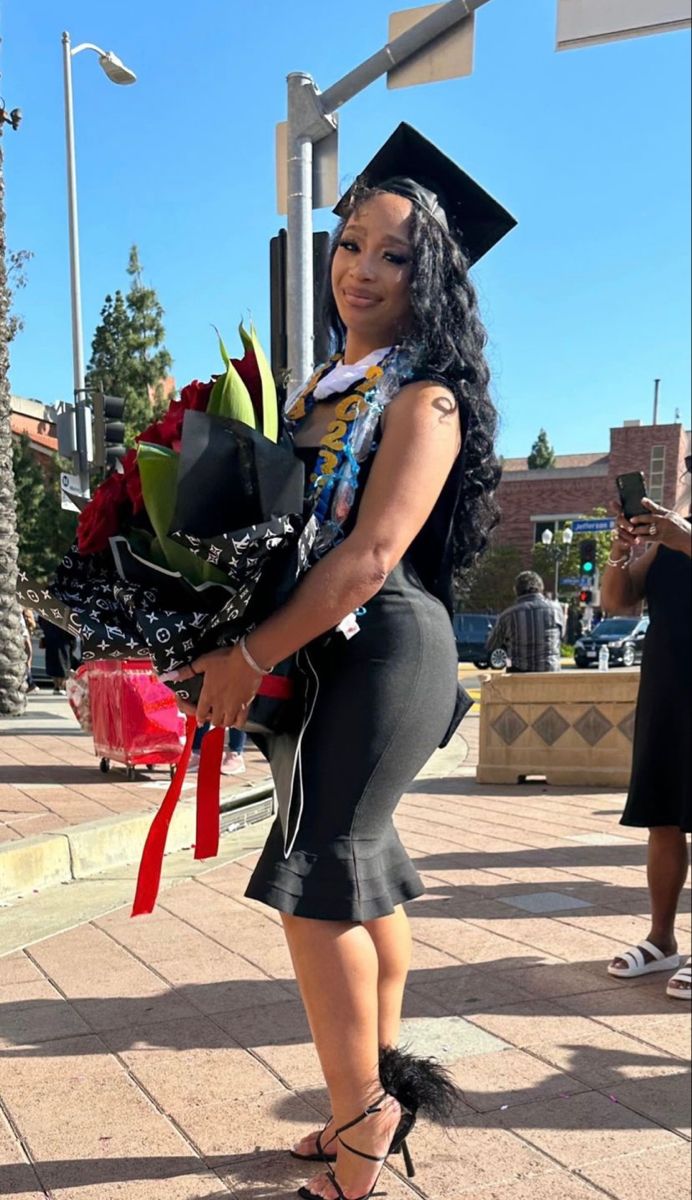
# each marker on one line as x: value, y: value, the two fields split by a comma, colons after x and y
x: 75, y: 281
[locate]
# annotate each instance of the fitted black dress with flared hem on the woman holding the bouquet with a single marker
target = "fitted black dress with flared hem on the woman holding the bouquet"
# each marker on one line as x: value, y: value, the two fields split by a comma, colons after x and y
x: 383, y: 703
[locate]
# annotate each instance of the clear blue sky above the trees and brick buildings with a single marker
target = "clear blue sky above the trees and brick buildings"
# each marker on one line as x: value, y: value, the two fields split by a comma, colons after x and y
x: 586, y: 303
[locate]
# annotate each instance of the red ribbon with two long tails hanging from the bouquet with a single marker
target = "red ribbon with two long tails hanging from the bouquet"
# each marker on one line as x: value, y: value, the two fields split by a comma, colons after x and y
x: 208, y: 802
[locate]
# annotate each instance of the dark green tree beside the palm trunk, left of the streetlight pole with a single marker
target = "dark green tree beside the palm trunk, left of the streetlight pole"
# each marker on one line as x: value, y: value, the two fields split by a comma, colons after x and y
x: 45, y: 530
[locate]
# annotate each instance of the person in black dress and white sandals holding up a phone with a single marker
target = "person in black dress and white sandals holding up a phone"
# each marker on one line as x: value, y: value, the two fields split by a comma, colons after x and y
x: 661, y: 785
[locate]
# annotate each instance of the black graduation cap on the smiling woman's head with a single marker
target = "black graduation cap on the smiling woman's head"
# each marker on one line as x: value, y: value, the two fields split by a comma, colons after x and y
x: 412, y: 166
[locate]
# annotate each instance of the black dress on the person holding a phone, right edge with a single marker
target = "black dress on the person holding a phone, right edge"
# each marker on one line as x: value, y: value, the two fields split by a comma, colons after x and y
x: 661, y: 787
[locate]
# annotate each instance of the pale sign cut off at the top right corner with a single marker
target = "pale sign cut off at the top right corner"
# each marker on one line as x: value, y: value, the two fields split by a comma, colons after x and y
x: 593, y: 22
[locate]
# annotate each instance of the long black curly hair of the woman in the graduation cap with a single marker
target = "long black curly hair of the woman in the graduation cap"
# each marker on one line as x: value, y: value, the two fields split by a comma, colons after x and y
x: 447, y: 340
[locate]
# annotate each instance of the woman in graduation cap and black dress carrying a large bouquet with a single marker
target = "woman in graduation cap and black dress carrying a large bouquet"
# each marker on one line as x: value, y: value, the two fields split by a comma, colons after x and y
x: 402, y: 313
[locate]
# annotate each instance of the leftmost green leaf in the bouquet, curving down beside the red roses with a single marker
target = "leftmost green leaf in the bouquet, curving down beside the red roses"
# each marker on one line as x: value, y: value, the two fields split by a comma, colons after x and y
x: 159, y: 473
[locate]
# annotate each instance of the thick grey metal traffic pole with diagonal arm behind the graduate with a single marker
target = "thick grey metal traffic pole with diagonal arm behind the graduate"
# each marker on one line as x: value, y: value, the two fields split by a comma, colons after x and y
x: 310, y: 119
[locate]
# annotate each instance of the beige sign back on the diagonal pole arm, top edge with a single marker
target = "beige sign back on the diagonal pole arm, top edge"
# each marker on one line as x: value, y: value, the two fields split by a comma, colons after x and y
x: 449, y: 57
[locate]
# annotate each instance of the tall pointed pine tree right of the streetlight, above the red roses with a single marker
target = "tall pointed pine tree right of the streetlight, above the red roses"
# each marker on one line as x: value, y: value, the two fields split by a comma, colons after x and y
x: 129, y: 358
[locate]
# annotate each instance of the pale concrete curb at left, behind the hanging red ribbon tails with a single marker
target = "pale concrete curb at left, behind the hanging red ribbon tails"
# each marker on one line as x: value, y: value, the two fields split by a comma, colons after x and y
x: 86, y: 850
